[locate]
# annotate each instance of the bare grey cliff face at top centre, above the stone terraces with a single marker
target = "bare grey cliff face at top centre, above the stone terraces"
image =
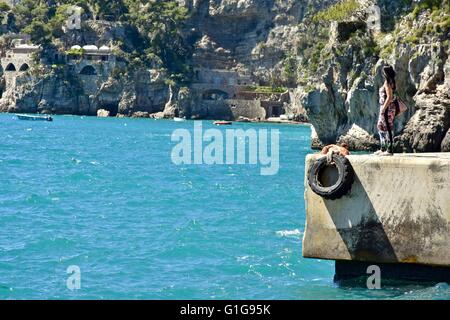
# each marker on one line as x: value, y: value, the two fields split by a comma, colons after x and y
x: 247, y: 35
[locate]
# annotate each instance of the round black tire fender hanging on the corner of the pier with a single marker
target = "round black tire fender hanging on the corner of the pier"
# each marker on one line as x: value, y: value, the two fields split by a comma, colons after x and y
x: 343, y: 184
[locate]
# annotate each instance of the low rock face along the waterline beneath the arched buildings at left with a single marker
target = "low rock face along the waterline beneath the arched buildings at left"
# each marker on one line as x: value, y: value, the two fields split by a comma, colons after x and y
x: 67, y: 93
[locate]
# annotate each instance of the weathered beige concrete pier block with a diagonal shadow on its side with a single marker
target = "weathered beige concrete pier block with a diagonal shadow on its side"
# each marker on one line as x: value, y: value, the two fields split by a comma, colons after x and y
x: 398, y: 211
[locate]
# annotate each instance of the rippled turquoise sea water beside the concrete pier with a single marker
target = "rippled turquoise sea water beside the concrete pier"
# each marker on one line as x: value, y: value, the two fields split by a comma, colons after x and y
x: 103, y: 194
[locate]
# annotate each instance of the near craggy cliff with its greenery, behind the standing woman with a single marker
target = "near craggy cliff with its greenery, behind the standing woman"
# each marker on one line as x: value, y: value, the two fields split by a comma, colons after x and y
x: 340, y: 63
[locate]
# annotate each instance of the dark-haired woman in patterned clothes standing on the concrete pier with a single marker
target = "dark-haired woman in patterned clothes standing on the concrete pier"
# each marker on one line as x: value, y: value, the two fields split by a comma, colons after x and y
x: 385, y: 123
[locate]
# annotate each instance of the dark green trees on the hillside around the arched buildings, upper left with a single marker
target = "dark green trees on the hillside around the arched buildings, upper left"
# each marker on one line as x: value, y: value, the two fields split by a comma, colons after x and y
x: 153, y: 28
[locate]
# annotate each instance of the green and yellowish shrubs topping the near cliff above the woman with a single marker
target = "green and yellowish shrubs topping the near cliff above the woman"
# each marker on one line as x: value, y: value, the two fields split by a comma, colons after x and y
x: 316, y: 49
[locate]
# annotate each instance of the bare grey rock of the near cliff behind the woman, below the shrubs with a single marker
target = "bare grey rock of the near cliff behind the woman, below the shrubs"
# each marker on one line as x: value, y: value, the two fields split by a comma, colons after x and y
x: 346, y: 92
